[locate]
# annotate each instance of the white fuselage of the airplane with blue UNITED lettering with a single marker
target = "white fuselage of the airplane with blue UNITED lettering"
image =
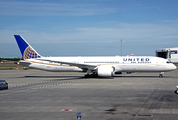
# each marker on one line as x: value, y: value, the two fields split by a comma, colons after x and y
x: 120, y: 64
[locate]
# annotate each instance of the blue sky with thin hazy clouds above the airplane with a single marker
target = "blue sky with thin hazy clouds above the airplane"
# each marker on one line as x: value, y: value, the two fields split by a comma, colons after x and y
x: 89, y: 27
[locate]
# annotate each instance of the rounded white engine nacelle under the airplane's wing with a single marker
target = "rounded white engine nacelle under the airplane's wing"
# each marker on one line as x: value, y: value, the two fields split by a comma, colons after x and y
x: 105, y: 71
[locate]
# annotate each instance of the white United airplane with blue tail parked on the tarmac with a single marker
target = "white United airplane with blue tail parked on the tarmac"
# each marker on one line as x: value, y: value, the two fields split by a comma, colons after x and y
x: 102, y: 66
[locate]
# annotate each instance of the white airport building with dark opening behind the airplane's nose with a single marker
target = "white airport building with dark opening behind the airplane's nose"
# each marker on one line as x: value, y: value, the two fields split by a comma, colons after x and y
x: 168, y: 53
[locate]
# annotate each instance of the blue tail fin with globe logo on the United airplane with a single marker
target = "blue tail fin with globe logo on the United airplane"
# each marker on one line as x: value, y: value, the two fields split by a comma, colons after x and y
x: 26, y: 50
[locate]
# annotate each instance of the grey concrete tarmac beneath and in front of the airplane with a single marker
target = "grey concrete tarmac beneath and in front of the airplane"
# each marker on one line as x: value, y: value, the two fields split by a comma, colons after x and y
x: 41, y: 95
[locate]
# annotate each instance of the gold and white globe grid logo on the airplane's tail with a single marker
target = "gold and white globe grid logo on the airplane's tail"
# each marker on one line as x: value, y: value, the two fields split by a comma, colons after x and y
x: 30, y: 53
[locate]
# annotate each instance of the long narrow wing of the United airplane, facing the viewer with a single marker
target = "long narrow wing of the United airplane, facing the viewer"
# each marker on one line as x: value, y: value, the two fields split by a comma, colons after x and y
x: 80, y: 65
